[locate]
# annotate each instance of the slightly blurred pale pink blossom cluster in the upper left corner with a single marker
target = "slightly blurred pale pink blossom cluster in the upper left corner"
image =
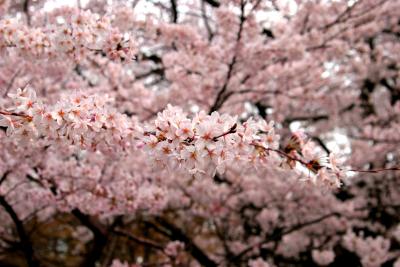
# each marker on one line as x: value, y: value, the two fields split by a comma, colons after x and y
x: 80, y: 33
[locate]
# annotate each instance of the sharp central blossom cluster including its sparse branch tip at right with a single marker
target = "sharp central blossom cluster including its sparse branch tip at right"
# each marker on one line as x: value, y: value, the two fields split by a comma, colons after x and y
x: 207, y: 144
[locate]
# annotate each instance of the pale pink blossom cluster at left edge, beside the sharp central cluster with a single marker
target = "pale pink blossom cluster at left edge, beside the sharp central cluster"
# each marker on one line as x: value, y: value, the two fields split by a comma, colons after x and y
x: 79, y: 119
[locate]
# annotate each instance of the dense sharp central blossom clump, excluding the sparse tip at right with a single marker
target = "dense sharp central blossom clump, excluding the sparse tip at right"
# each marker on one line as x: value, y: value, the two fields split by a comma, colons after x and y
x: 206, y: 144
